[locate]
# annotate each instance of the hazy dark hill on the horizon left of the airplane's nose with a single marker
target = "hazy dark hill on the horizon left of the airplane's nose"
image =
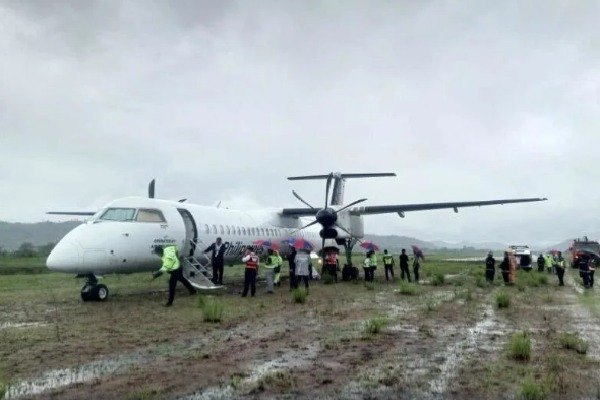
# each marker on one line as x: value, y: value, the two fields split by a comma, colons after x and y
x: 12, y: 235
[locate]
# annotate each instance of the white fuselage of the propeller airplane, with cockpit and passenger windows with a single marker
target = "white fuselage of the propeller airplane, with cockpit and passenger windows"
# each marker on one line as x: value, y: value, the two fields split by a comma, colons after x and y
x: 120, y: 238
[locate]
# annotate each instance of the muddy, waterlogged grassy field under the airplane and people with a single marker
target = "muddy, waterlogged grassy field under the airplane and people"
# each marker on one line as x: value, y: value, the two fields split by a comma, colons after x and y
x: 452, y: 335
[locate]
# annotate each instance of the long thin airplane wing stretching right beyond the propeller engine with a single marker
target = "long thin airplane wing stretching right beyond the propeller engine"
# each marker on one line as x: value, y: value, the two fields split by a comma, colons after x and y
x: 402, y: 208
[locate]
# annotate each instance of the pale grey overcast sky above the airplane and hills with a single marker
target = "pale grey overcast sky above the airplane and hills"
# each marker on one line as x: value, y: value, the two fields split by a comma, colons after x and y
x: 222, y: 100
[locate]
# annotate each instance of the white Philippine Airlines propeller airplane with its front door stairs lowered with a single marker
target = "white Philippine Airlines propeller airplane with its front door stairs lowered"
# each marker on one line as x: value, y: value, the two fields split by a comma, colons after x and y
x: 120, y: 237
